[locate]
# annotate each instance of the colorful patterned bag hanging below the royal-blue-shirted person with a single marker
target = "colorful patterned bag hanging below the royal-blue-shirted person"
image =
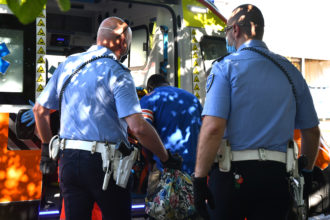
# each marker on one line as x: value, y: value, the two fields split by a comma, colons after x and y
x: 170, y: 196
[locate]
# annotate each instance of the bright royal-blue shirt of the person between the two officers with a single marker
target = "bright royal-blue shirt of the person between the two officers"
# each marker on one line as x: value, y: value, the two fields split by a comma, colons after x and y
x: 176, y: 115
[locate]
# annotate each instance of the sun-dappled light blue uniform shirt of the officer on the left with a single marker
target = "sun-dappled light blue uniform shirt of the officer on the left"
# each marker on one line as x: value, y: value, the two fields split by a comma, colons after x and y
x: 96, y: 100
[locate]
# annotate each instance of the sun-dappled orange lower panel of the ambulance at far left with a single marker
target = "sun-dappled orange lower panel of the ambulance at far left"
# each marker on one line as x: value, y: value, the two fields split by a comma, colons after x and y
x: 20, y: 177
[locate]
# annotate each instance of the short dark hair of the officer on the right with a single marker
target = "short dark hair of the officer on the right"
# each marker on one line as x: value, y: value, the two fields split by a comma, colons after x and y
x: 246, y: 15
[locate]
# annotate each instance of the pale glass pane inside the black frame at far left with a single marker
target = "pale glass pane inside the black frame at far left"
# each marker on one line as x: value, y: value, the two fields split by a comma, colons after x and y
x: 12, y: 79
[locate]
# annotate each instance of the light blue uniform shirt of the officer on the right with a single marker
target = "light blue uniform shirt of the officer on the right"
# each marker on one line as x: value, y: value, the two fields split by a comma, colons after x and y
x: 256, y: 99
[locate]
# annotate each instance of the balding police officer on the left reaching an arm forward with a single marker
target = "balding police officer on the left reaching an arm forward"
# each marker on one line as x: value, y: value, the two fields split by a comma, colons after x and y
x: 98, y: 105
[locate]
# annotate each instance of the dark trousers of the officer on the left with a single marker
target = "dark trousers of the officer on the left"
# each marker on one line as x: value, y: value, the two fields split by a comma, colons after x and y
x: 81, y: 180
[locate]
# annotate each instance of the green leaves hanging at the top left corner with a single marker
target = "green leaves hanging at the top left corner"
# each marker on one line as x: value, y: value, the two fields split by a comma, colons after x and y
x: 27, y: 10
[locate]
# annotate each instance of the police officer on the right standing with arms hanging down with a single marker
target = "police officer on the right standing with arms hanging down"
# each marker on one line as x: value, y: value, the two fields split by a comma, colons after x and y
x: 255, y: 106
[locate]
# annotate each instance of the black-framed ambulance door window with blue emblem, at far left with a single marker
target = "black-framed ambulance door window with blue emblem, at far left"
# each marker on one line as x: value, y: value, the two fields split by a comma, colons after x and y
x: 18, y: 56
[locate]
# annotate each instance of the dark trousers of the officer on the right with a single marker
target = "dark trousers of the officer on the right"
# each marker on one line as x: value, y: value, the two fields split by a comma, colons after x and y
x: 256, y: 190
